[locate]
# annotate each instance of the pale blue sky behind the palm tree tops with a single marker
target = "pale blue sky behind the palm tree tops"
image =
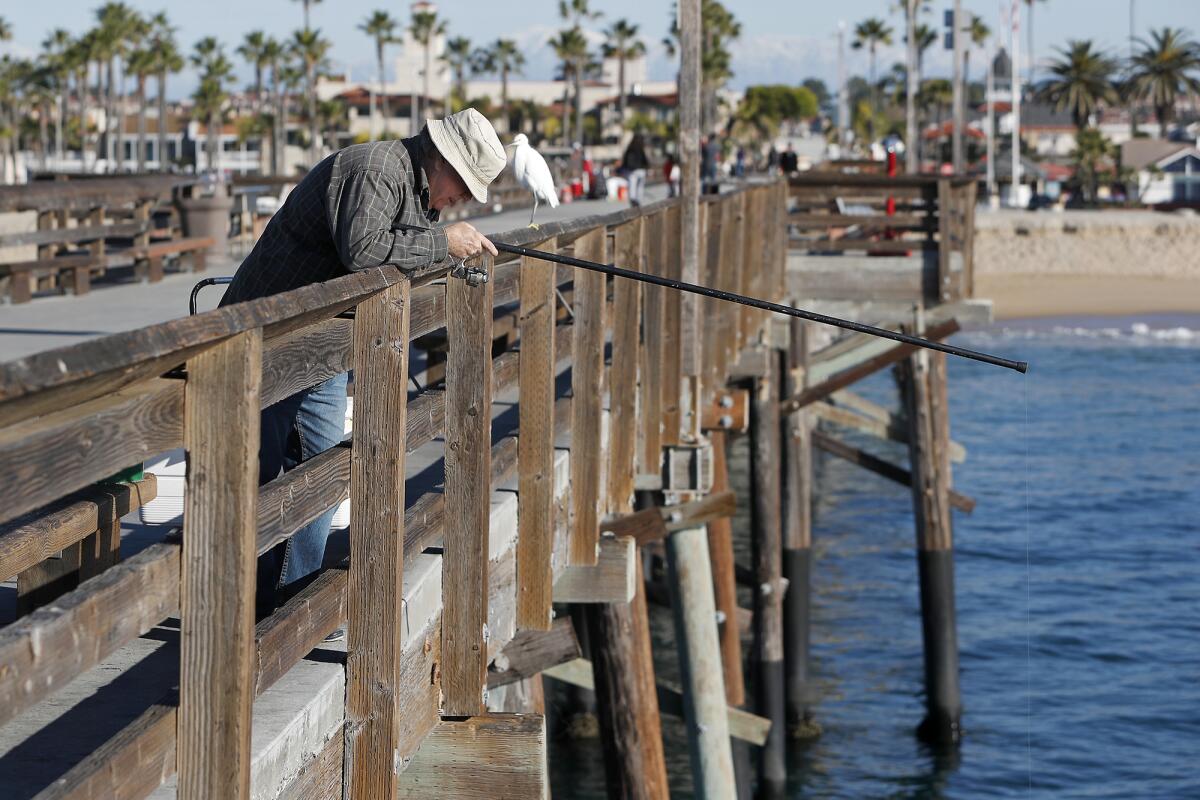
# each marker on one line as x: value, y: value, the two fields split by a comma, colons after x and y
x: 783, y: 41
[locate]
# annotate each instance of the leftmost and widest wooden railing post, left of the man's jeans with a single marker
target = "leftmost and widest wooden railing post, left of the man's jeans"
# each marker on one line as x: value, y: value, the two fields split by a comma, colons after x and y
x: 217, y: 676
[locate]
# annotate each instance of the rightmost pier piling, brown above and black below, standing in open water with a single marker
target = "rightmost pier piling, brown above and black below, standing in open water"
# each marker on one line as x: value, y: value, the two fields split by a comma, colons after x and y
x: 923, y: 394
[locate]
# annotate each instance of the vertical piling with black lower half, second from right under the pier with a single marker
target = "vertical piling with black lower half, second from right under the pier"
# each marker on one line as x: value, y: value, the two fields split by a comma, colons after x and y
x: 797, y: 538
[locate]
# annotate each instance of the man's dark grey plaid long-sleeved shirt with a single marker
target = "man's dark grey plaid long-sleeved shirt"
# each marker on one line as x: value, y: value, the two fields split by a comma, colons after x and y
x: 353, y: 212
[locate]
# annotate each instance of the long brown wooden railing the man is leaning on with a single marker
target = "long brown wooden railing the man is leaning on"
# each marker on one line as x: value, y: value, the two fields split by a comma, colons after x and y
x: 71, y: 419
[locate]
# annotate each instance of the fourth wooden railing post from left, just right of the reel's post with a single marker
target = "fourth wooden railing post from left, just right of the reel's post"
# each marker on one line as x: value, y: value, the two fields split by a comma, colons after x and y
x: 536, y: 444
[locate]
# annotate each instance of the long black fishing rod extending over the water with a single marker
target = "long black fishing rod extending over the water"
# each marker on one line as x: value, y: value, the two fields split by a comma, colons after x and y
x: 766, y: 305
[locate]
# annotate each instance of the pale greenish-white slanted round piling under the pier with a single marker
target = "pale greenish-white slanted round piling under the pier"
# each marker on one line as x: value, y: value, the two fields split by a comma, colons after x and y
x: 700, y: 660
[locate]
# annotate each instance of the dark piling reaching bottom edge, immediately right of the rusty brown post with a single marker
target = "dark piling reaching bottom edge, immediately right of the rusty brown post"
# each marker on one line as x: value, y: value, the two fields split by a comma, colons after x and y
x: 769, y: 596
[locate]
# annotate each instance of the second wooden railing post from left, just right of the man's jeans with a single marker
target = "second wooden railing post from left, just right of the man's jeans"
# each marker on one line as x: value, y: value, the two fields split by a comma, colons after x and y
x: 375, y: 581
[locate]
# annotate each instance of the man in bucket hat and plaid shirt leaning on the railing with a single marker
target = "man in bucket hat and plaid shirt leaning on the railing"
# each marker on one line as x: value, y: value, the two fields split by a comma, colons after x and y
x: 368, y: 206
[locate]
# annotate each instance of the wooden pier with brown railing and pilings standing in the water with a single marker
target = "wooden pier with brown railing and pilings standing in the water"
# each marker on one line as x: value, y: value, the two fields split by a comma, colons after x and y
x: 569, y: 426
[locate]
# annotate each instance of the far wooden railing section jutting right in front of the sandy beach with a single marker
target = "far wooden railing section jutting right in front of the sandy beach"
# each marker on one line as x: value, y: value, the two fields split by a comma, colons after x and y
x: 837, y: 213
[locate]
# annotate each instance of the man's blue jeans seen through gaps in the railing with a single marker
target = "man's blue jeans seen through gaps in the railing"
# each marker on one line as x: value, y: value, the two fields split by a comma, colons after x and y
x: 293, y: 431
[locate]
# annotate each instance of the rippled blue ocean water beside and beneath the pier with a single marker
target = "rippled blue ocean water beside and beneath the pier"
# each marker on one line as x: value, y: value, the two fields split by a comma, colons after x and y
x: 1078, y: 585
